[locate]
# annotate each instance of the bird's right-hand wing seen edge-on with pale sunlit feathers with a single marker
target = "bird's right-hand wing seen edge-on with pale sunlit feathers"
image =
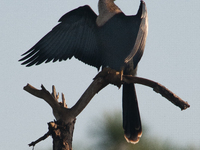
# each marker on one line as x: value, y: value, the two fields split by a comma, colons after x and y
x: 139, y: 45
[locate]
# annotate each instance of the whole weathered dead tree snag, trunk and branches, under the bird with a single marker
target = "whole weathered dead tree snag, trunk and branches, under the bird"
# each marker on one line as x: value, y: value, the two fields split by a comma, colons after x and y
x: 62, y: 129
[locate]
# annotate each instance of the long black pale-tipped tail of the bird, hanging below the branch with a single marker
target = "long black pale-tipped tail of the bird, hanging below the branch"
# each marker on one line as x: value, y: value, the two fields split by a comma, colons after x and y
x: 131, y: 116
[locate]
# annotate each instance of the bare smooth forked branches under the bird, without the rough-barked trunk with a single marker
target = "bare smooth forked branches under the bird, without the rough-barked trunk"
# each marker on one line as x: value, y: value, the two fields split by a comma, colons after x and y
x: 103, y: 78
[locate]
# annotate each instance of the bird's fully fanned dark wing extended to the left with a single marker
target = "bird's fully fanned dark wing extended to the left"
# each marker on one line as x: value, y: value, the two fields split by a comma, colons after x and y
x: 73, y: 36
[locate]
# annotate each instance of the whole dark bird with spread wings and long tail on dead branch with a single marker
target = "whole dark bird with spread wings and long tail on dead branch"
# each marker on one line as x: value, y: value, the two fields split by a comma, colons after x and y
x: 111, y: 39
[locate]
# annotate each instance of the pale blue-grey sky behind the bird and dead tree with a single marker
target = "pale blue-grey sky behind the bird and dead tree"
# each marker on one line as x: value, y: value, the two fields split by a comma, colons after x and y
x: 171, y: 58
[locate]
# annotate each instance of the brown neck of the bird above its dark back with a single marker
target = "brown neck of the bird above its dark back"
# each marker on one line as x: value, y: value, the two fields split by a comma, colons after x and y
x: 107, y: 9
